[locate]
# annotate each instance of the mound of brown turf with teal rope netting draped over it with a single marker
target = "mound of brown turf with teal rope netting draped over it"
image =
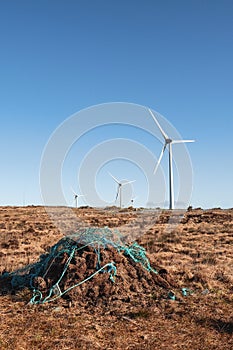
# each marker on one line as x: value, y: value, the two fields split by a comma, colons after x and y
x: 92, y: 267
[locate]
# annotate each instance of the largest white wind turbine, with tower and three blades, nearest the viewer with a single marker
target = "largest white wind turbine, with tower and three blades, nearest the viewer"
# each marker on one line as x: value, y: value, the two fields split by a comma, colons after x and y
x: 168, y: 142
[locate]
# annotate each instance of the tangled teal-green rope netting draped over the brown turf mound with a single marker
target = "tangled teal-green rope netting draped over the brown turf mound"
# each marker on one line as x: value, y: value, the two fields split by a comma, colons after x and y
x: 95, y: 238
